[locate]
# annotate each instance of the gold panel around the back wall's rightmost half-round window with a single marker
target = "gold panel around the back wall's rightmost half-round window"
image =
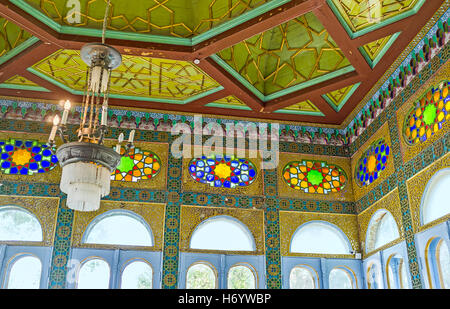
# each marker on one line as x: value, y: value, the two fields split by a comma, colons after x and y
x: 290, y: 221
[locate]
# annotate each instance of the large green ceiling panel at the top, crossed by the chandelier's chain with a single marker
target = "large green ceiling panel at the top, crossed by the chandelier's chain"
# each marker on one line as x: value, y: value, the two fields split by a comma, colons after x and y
x: 172, y: 18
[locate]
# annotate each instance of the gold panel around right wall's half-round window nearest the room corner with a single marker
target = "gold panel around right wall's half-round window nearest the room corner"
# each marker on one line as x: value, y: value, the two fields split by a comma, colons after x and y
x: 389, y: 202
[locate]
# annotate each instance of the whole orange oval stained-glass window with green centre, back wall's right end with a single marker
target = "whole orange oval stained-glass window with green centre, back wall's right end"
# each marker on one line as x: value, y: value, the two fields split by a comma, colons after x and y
x: 314, y: 176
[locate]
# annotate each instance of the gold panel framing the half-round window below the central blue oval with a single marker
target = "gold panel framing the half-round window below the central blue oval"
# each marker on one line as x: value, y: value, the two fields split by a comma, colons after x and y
x: 192, y: 216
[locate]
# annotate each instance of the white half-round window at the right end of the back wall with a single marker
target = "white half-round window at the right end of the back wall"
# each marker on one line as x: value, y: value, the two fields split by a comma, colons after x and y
x: 319, y: 237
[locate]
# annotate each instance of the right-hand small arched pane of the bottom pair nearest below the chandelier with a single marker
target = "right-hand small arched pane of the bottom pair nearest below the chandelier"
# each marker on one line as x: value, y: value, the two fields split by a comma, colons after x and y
x: 137, y: 275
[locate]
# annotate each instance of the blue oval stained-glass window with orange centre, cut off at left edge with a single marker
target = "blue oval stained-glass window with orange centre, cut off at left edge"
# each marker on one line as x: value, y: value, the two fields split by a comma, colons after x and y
x: 19, y: 157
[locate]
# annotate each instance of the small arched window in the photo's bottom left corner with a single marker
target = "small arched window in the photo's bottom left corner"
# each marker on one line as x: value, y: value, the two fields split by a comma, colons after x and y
x: 25, y: 273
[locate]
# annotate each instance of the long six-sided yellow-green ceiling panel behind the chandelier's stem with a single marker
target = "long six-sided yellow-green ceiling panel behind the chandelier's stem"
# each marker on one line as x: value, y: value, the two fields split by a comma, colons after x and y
x: 137, y: 77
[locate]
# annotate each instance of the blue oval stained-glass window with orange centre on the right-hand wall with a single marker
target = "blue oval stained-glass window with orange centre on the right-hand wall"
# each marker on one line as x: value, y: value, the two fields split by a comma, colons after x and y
x: 372, y: 163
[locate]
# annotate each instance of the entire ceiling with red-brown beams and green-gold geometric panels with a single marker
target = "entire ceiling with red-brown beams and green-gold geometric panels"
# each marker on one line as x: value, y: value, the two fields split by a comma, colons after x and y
x: 304, y: 61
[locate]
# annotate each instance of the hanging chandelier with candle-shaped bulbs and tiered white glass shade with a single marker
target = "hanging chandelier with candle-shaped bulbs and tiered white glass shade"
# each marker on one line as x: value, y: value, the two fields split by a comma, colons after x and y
x: 86, y: 162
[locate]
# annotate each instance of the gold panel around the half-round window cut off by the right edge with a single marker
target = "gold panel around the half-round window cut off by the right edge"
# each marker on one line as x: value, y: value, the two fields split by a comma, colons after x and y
x: 416, y: 186
